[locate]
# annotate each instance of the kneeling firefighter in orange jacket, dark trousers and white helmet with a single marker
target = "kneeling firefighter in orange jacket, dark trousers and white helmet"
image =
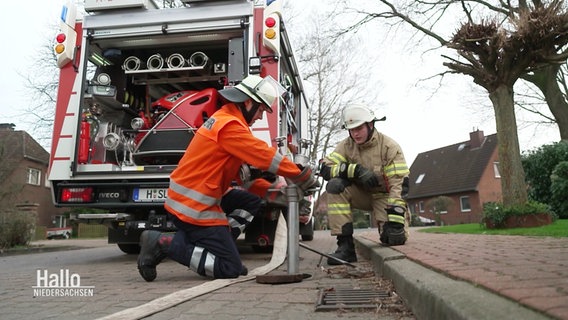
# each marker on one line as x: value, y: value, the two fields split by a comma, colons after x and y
x: 212, y: 160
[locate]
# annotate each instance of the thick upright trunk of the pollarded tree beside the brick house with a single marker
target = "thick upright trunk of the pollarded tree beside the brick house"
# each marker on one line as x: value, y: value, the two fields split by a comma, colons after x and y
x: 513, y: 184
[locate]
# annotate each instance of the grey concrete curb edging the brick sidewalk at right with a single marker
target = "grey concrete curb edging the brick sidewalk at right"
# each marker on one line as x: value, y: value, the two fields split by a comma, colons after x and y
x: 431, y: 295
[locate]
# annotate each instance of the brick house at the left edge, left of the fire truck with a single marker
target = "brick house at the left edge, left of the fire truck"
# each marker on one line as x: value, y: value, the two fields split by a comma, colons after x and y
x: 23, y: 175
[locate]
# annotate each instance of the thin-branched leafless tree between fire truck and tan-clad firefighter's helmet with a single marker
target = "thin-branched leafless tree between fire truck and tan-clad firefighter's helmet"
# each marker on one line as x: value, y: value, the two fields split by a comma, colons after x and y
x: 335, y: 77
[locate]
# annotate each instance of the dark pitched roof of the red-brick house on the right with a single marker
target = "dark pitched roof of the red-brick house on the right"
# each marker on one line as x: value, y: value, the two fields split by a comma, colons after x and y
x: 451, y: 169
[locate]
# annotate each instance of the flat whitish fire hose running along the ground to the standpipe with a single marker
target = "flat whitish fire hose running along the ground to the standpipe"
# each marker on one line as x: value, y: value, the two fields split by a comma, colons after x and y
x: 173, y: 299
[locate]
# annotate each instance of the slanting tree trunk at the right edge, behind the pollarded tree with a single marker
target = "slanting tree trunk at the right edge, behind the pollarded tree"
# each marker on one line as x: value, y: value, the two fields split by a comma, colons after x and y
x: 546, y: 80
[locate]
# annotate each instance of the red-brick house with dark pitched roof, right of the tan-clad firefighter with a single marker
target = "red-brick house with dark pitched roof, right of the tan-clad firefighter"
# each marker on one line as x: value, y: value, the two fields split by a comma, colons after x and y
x: 451, y: 184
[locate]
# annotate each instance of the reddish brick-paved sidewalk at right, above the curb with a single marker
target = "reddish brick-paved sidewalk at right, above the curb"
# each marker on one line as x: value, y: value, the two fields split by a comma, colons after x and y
x: 530, y: 270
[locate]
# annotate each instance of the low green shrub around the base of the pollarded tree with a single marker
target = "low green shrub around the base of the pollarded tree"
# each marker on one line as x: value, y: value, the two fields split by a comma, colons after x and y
x: 497, y: 213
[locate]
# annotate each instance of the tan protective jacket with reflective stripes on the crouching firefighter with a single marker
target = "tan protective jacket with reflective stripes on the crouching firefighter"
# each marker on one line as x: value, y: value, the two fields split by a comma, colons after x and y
x: 381, y: 154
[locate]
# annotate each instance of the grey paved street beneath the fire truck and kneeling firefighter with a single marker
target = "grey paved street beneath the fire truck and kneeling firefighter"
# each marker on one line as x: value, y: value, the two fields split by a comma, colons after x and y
x: 115, y: 286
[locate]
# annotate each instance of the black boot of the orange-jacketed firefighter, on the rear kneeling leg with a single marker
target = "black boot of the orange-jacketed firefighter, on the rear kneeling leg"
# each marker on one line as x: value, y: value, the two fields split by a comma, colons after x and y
x: 153, y: 249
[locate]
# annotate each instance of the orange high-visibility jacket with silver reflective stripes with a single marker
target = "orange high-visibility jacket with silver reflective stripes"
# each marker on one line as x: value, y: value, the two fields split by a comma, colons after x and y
x: 212, y: 160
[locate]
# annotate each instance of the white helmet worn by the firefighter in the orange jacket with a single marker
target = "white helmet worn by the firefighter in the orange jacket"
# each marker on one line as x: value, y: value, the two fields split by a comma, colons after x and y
x: 262, y: 90
